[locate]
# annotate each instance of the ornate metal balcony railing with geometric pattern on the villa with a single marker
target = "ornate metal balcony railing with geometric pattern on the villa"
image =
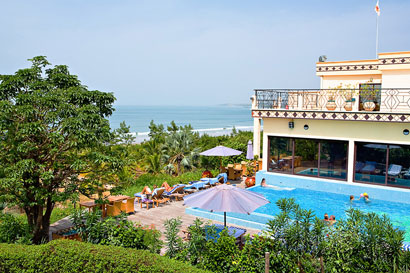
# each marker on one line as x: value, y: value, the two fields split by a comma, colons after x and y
x: 382, y: 100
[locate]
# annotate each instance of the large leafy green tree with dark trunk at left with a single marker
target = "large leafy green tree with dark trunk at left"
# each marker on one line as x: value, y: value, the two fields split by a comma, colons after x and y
x: 50, y: 127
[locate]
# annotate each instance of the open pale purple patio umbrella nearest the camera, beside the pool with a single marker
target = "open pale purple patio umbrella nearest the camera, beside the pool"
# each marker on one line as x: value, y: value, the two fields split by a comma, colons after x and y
x: 226, y: 198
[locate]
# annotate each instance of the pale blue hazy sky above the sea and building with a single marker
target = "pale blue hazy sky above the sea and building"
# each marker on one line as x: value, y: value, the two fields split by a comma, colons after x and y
x: 196, y: 52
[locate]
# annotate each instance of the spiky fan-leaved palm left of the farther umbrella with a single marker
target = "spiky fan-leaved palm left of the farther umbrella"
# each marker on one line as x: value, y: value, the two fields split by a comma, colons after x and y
x: 179, y: 152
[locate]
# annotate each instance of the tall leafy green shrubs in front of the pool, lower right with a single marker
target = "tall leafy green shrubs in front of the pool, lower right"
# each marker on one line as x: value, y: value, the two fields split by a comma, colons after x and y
x: 300, y: 242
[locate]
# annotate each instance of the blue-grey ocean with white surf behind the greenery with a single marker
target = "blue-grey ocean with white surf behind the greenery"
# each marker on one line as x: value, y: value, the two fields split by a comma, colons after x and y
x: 212, y: 120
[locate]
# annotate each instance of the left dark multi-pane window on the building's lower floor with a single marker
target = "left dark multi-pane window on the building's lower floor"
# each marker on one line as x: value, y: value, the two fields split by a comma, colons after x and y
x: 312, y: 157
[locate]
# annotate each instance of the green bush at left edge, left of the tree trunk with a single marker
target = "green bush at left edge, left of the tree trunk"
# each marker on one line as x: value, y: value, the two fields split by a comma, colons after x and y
x: 13, y: 229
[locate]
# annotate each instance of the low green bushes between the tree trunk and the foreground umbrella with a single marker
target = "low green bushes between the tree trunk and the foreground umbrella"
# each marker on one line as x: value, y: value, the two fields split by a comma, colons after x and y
x: 115, y: 231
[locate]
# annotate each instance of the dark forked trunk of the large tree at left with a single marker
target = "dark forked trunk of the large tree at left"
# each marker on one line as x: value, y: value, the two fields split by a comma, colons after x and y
x: 39, y: 221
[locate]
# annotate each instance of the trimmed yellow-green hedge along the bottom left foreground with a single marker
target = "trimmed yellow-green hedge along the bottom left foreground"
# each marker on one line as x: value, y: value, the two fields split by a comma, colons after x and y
x: 72, y: 256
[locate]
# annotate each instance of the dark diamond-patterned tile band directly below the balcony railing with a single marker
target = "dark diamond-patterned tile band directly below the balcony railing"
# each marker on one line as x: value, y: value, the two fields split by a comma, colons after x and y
x: 333, y: 115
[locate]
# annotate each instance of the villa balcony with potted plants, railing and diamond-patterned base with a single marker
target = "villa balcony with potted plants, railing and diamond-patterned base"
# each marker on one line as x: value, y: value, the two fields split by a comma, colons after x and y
x: 341, y: 104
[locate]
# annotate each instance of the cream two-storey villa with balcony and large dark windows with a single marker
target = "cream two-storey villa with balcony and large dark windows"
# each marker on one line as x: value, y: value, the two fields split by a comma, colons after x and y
x: 355, y: 128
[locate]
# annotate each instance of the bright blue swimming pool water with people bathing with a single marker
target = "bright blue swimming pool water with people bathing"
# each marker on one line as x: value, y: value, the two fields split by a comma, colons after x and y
x: 330, y: 203
